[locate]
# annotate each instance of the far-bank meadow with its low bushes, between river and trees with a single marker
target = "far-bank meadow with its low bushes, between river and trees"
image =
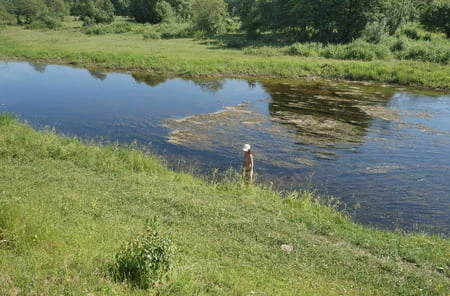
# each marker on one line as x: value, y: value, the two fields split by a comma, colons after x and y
x: 415, y: 58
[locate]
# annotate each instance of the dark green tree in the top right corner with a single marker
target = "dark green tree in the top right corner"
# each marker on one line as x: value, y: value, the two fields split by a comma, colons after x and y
x: 436, y: 16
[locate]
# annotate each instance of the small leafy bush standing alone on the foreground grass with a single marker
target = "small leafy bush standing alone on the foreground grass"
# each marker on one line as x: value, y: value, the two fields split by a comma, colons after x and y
x: 144, y: 261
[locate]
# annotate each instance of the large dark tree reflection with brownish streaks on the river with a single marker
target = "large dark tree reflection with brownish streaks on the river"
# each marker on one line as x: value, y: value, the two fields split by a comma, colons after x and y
x: 320, y: 116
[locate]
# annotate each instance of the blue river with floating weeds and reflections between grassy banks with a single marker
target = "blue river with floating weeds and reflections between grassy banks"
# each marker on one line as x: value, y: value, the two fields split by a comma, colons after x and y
x: 383, y: 151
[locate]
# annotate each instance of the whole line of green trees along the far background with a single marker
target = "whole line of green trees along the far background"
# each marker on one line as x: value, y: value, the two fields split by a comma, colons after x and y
x: 324, y: 21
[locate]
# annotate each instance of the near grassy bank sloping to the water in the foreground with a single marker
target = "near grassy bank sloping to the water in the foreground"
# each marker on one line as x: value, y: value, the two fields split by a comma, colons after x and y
x: 67, y: 208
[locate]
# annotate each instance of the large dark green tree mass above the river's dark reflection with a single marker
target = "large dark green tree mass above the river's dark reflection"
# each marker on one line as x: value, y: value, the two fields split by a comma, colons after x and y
x: 326, y: 21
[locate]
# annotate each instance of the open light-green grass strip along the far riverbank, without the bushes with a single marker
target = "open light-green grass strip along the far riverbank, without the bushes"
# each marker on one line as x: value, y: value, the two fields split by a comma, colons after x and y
x: 188, y: 57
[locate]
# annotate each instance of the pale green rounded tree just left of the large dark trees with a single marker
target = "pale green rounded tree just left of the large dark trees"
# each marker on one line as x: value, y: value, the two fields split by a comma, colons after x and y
x: 209, y: 16
